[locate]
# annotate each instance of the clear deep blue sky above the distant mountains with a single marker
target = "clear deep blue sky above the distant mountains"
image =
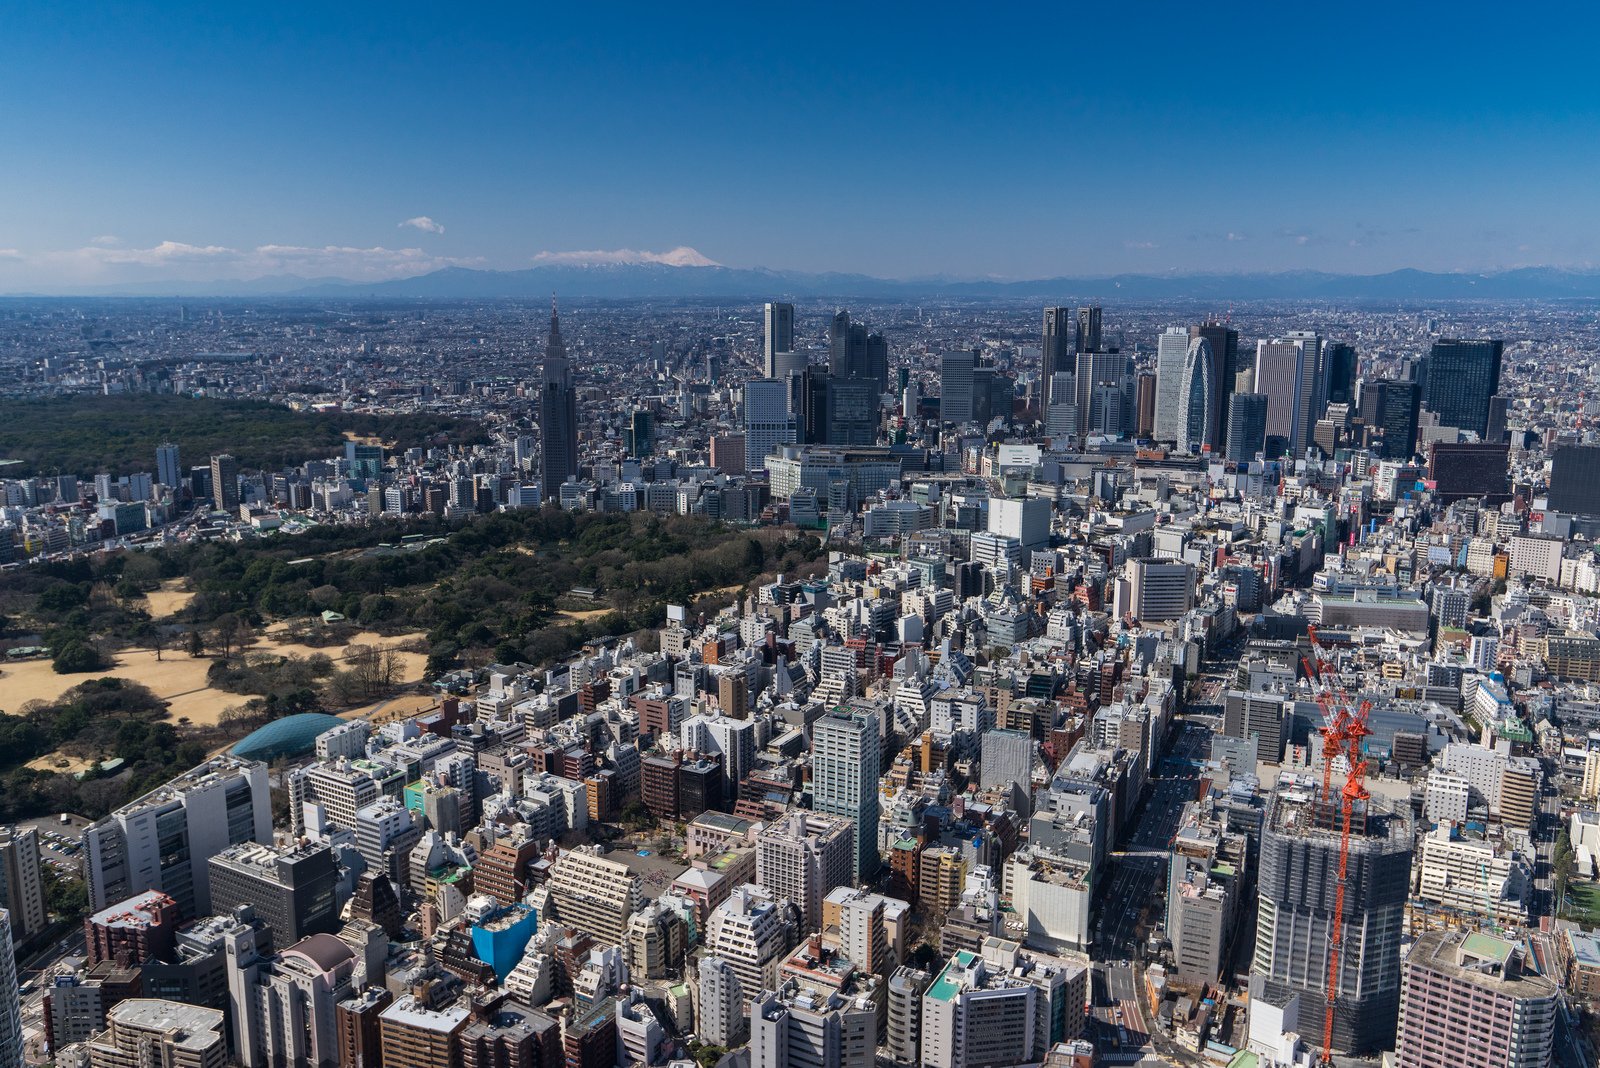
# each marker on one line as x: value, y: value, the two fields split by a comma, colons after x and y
x: 198, y: 141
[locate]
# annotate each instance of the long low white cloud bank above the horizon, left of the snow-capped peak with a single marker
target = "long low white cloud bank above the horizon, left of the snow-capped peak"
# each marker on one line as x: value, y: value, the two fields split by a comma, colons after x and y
x: 204, y: 263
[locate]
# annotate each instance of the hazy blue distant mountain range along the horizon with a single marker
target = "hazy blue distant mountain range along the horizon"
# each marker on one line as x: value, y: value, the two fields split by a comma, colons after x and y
x: 671, y: 282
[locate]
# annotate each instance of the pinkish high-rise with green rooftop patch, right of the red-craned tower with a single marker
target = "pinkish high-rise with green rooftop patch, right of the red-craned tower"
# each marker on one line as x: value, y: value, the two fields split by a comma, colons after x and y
x: 1471, y: 1000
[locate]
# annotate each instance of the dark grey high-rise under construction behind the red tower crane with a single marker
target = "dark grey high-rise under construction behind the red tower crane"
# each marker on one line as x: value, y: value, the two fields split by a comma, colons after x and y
x: 1297, y: 891
